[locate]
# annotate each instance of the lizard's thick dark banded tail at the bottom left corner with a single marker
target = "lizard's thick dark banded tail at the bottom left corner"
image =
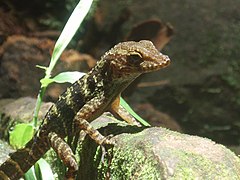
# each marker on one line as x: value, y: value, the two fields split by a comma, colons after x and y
x: 23, y: 159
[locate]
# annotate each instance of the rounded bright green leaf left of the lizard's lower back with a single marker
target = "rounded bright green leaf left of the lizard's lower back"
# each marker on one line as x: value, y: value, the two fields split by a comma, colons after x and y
x: 21, y: 134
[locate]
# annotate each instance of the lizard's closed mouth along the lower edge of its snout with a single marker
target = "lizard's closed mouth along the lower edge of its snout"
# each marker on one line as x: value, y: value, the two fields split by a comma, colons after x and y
x: 154, y: 65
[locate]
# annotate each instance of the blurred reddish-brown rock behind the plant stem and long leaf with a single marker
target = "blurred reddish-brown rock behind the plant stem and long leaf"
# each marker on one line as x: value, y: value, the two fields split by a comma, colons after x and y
x: 19, y: 56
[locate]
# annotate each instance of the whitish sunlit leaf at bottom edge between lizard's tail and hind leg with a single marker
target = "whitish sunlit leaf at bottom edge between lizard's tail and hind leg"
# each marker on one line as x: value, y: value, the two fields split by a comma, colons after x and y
x: 43, y: 170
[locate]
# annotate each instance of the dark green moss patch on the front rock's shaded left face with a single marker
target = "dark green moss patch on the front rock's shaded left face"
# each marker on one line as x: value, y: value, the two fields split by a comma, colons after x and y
x: 131, y: 163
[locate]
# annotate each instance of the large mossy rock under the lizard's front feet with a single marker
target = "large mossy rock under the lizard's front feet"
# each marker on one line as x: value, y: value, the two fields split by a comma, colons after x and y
x: 158, y: 153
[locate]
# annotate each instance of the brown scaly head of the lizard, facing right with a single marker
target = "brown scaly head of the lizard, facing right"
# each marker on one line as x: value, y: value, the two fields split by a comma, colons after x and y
x: 135, y: 58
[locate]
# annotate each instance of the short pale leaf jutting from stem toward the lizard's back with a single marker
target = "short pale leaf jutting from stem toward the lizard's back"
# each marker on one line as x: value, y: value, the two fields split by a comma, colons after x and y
x: 70, y: 77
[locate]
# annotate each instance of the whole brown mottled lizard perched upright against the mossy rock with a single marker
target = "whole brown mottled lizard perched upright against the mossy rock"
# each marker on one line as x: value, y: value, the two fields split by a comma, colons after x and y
x: 89, y: 97
